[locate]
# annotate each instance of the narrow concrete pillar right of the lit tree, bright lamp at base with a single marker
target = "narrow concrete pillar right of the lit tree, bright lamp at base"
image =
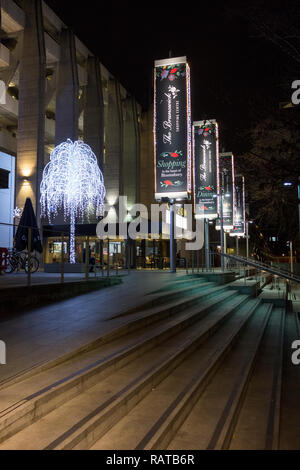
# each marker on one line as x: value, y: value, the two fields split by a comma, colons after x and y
x: 113, y: 144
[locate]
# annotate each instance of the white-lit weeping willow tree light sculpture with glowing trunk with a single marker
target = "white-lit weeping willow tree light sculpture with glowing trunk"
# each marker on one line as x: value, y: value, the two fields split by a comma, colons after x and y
x: 72, y: 180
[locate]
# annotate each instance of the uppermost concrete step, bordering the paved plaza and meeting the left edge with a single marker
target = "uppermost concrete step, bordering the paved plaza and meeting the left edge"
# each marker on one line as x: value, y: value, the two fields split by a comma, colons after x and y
x: 33, y: 398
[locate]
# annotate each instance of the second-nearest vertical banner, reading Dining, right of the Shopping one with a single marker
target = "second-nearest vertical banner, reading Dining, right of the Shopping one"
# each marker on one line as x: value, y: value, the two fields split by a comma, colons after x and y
x: 205, y: 164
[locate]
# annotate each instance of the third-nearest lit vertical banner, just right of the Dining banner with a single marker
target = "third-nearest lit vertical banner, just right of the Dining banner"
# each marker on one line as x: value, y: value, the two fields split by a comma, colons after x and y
x: 226, y: 185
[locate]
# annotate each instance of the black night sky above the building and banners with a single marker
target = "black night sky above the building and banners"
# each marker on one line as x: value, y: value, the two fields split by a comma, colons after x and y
x: 235, y: 74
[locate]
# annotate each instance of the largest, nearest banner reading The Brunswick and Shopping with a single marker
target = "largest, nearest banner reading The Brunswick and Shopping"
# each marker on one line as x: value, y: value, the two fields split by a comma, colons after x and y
x: 172, y: 128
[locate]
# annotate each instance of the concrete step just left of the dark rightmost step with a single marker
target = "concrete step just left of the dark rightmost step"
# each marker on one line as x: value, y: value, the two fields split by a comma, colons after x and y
x: 212, y: 419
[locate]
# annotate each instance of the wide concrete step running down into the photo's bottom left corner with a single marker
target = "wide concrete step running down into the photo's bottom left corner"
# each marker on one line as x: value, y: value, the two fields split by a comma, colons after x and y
x: 90, y: 414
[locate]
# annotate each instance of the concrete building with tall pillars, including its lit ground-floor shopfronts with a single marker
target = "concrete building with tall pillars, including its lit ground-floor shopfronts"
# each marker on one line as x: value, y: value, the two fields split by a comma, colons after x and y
x: 55, y: 89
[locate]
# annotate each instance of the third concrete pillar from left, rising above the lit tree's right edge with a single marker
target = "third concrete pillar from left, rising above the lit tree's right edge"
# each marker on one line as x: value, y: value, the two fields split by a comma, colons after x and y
x: 93, y: 123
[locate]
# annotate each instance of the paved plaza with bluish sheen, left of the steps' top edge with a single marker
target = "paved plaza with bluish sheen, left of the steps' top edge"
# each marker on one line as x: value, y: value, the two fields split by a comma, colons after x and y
x: 44, y: 333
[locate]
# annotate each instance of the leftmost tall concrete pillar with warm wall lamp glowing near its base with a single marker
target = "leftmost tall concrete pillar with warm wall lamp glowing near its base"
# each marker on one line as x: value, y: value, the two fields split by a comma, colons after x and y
x: 31, y: 119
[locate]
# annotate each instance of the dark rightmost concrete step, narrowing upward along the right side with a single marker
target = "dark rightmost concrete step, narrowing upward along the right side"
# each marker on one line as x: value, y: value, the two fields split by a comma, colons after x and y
x: 258, y: 422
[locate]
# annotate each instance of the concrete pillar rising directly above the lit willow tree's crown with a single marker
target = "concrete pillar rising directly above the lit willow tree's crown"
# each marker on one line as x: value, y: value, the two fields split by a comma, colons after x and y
x: 67, y: 90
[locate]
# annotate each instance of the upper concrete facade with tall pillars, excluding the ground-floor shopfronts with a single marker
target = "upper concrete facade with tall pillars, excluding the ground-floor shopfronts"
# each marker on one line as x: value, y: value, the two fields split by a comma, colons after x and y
x: 57, y: 89
